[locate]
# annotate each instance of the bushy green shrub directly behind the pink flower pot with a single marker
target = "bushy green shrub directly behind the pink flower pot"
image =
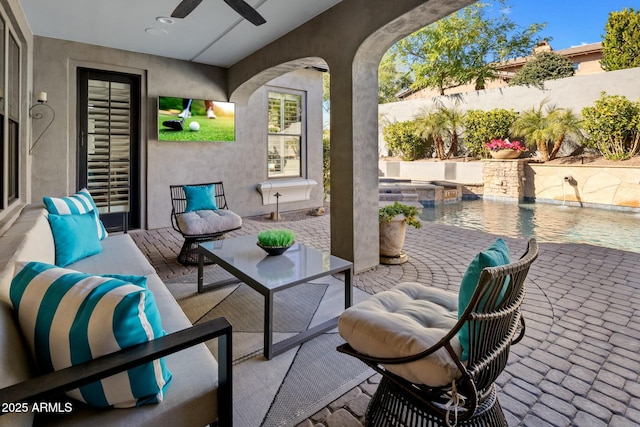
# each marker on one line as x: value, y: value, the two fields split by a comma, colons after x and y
x: 483, y: 126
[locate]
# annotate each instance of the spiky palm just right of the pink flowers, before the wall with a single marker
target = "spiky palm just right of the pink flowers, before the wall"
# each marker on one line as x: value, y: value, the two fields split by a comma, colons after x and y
x: 536, y: 125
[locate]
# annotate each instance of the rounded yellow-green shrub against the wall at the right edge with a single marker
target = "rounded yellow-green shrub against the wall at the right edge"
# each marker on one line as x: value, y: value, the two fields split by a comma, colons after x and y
x: 613, y: 126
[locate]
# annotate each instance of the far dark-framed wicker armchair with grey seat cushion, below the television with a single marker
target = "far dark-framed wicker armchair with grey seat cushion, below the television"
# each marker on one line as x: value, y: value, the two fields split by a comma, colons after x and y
x: 200, y: 226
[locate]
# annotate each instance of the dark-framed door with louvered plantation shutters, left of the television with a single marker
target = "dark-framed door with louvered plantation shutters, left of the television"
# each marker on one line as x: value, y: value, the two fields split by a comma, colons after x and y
x: 109, y: 145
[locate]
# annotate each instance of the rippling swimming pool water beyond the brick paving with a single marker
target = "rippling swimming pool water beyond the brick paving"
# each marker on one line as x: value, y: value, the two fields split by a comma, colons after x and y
x: 545, y: 222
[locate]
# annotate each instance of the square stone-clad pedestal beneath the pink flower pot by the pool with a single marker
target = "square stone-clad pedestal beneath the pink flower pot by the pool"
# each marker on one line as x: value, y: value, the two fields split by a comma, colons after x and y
x: 504, y: 179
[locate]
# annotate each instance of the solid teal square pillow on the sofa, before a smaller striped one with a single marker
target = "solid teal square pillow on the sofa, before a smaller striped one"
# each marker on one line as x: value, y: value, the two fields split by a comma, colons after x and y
x: 74, y: 237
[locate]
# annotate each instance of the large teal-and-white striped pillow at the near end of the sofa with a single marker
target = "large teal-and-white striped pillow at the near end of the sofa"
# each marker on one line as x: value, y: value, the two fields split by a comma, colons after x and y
x: 69, y: 317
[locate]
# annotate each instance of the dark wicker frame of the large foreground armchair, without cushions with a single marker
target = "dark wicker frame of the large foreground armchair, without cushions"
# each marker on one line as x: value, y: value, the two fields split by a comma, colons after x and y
x: 470, y: 399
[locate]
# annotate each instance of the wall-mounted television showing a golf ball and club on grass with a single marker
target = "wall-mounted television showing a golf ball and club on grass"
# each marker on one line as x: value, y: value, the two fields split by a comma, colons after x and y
x: 199, y: 120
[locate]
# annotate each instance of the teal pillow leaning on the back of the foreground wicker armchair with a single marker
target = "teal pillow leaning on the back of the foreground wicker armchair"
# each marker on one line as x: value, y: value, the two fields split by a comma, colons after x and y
x: 495, y: 255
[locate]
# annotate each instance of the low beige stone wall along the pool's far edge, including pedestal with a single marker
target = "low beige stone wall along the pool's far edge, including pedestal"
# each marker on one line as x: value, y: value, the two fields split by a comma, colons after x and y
x: 610, y: 187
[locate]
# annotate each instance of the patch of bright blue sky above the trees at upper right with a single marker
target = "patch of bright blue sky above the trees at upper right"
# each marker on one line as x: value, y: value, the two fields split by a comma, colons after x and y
x: 569, y: 22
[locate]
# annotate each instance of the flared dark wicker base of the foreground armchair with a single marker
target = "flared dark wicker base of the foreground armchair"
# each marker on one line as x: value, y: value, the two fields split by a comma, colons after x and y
x: 391, y: 407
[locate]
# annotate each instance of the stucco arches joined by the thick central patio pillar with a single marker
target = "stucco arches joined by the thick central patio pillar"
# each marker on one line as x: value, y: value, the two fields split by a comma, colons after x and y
x: 352, y: 38
